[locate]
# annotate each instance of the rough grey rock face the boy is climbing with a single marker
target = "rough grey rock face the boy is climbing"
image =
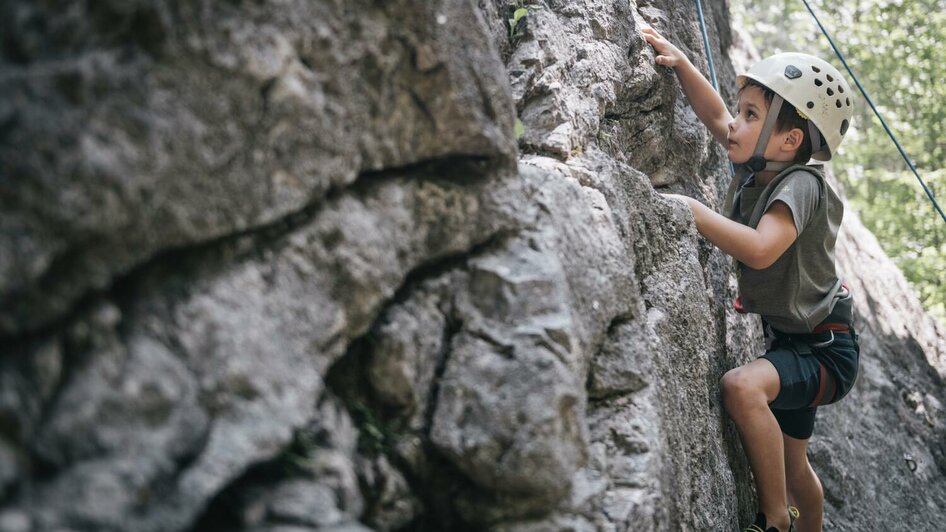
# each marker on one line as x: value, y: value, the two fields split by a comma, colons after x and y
x: 282, y: 266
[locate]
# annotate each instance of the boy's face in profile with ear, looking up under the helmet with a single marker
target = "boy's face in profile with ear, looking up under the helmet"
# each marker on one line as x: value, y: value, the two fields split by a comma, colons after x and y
x: 746, y: 126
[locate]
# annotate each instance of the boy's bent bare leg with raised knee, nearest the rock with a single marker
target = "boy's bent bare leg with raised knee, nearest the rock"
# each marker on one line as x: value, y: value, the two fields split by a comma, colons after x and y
x: 747, y: 391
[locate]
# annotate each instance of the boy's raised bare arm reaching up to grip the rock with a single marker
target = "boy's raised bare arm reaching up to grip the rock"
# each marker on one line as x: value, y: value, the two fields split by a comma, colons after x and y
x: 706, y: 102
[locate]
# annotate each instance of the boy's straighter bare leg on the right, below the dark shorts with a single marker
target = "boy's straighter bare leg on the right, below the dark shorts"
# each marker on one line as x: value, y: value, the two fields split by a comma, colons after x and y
x: 803, y: 486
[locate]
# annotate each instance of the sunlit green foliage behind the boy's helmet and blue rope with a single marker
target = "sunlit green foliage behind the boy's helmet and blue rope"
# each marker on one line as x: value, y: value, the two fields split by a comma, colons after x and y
x: 894, y: 47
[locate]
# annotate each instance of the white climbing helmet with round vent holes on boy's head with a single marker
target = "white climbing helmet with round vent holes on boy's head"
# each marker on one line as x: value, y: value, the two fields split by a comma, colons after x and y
x: 815, y: 88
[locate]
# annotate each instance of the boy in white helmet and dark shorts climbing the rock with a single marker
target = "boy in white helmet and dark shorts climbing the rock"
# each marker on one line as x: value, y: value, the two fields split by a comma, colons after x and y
x: 781, y: 223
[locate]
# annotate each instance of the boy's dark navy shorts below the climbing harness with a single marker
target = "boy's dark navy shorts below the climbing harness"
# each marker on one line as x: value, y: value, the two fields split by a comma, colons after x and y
x: 810, y: 376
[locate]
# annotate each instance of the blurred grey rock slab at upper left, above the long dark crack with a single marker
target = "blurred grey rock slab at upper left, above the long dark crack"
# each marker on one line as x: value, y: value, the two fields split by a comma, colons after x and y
x: 131, y: 130
